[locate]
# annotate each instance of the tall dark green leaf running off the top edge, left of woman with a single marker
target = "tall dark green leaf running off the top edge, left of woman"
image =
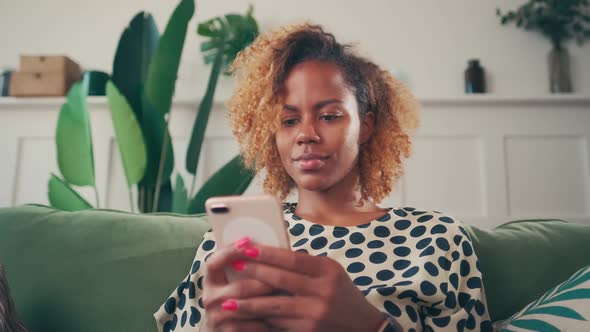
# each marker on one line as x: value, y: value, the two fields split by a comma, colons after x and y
x: 163, y: 68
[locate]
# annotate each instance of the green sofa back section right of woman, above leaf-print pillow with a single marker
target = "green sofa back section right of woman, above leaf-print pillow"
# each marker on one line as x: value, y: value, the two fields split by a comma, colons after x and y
x: 522, y: 259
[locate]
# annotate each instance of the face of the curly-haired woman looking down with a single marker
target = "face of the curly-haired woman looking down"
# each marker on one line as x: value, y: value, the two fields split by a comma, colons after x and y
x: 320, y: 132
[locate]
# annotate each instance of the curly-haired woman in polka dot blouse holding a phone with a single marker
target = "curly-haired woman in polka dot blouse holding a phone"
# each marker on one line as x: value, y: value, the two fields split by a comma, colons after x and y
x: 335, y: 127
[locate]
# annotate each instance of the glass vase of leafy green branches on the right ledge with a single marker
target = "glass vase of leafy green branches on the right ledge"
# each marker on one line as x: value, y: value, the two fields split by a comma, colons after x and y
x: 559, y: 21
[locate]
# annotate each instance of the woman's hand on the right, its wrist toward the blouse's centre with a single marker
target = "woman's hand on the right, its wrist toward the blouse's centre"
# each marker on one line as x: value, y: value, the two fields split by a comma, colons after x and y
x: 322, y: 296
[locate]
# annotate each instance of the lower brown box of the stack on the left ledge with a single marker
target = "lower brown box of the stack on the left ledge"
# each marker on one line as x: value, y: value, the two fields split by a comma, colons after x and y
x: 24, y: 84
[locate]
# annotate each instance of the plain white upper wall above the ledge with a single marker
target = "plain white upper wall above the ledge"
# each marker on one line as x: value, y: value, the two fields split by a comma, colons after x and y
x: 430, y: 40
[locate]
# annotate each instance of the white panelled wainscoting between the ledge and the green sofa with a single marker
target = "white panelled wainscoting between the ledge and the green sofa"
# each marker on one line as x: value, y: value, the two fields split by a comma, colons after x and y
x: 482, y: 159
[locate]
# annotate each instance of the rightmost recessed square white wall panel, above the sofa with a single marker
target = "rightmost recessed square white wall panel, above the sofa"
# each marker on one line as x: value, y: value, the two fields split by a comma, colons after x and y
x: 547, y: 176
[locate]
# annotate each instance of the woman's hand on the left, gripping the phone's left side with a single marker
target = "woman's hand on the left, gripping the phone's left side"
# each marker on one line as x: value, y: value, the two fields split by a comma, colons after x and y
x: 216, y: 290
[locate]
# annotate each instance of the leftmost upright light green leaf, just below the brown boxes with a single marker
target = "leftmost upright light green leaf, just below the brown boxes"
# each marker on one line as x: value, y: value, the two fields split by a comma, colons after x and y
x: 74, y: 139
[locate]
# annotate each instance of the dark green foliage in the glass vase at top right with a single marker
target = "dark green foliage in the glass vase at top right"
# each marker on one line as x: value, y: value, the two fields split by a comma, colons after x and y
x: 558, y: 20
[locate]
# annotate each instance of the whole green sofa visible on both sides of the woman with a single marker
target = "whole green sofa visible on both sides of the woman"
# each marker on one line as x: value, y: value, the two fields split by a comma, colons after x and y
x: 101, y: 270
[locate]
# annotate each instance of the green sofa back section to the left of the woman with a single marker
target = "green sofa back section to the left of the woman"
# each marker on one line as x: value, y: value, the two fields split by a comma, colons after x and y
x: 94, y: 270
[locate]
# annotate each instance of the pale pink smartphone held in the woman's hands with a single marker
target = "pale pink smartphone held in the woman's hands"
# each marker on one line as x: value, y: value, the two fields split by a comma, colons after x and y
x: 259, y: 217
